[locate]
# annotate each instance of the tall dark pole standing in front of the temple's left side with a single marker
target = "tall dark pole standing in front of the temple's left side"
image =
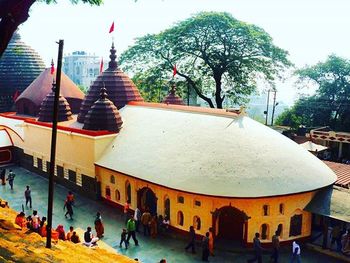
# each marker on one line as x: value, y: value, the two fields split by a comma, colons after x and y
x: 53, y: 145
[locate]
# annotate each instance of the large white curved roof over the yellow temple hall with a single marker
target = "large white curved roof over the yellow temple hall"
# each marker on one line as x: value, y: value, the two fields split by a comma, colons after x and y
x: 211, y: 154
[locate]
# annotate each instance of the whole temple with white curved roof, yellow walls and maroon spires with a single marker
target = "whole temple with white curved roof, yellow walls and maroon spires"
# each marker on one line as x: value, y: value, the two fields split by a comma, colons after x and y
x: 209, y: 168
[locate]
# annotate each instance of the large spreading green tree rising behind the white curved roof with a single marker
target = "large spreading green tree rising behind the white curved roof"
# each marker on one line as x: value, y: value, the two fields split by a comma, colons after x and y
x: 216, y: 54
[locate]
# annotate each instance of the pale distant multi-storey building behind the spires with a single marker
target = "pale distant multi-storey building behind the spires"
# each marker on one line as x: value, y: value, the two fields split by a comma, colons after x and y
x: 81, y: 67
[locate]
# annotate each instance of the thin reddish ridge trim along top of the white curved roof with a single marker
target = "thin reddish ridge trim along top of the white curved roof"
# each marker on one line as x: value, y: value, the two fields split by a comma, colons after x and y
x: 221, y: 112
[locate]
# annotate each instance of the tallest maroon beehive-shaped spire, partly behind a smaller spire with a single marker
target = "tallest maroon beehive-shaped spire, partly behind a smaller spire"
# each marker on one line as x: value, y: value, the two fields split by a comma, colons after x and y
x: 119, y: 86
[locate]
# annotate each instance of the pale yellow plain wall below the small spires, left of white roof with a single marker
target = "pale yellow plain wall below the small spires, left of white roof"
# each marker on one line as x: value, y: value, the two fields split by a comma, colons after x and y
x: 74, y: 151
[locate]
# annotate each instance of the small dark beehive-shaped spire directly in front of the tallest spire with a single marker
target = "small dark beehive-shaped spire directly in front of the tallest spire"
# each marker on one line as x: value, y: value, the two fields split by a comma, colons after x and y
x: 103, y: 115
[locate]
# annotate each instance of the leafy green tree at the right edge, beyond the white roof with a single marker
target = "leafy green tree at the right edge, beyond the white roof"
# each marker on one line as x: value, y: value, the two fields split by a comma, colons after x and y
x: 330, y: 106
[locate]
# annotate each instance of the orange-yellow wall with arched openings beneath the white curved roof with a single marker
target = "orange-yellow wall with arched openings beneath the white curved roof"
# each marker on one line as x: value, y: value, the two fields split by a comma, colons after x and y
x: 252, y: 207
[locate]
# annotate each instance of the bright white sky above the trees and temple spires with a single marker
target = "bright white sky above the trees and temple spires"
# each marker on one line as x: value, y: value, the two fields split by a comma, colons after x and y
x: 309, y: 30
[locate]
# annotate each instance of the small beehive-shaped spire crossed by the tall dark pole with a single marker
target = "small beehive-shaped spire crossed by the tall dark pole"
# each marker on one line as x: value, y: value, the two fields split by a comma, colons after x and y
x: 46, y: 108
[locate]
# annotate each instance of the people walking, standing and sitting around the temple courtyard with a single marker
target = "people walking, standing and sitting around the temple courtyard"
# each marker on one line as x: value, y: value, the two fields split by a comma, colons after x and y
x: 152, y: 225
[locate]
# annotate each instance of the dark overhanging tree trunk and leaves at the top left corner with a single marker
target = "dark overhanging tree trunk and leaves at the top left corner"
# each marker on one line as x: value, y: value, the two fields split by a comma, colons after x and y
x: 15, y: 12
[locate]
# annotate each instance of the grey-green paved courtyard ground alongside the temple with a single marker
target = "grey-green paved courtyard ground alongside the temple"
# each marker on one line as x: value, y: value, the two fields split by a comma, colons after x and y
x: 149, y: 251
